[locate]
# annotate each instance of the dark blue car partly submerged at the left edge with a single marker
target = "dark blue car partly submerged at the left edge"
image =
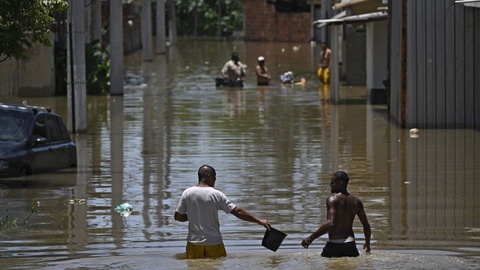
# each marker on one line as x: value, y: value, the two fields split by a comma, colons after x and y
x: 33, y: 140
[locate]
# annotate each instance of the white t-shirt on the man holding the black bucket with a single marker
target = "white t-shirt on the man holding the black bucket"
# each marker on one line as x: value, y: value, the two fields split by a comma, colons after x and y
x: 202, y: 204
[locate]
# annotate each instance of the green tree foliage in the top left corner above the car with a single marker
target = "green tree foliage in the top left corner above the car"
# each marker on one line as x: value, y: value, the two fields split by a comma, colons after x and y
x: 24, y: 23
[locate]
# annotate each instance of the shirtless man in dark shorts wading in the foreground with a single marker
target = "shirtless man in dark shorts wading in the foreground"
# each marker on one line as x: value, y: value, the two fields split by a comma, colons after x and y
x: 341, y: 211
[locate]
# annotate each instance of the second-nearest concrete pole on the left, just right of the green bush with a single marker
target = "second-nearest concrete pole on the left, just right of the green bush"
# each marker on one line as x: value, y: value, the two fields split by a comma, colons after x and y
x: 116, y: 47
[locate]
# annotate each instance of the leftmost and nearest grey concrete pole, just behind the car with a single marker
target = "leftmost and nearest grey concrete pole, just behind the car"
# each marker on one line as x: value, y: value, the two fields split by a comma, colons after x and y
x: 76, y: 74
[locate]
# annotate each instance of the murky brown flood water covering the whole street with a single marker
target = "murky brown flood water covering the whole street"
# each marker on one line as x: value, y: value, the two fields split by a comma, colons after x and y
x: 274, y: 148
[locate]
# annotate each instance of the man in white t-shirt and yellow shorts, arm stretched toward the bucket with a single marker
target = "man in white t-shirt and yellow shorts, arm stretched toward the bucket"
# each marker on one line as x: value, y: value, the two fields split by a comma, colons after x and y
x: 199, y: 205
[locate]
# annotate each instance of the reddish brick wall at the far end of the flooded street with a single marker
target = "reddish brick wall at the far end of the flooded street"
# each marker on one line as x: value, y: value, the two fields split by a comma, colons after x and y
x: 263, y: 23
